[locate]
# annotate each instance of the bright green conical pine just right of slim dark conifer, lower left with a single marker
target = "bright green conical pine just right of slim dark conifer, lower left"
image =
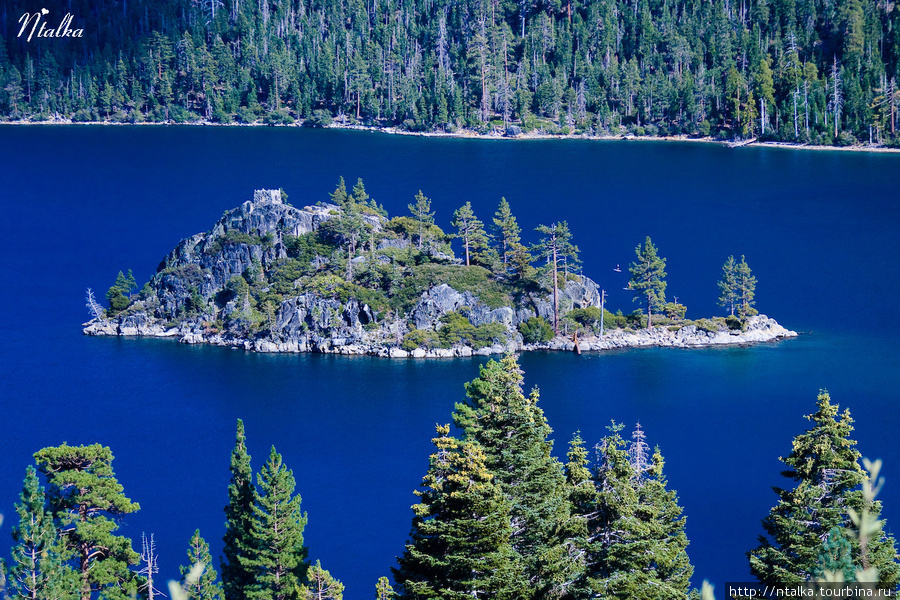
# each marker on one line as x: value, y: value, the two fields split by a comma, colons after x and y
x: 279, y: 556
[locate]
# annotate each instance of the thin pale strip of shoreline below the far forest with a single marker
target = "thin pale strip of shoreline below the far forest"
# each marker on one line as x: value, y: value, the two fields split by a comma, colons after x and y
x: 472, y: 135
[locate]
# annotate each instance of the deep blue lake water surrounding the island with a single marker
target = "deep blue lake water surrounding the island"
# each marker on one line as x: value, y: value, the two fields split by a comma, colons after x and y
x: 78, y: 204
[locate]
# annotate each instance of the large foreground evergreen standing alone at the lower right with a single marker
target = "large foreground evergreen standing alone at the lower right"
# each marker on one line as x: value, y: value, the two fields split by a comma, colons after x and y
x: 824, y: 466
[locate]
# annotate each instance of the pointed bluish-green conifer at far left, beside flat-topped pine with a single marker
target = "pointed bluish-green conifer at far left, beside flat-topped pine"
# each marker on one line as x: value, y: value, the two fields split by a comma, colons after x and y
x: 38, y: 570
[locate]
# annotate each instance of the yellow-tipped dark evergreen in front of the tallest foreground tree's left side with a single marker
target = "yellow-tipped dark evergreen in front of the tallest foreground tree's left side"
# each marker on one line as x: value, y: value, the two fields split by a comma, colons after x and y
x: 459, y: 544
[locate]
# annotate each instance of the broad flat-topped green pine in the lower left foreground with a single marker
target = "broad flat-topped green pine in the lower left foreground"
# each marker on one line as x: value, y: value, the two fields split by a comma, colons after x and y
x: 86, y: 499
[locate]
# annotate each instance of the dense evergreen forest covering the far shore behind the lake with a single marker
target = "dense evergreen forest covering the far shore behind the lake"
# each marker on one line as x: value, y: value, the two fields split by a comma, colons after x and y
x: 818, y: 71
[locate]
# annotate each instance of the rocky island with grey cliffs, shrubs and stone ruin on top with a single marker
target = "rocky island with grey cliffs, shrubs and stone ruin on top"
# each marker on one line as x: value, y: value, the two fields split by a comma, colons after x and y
x: 341, y: 277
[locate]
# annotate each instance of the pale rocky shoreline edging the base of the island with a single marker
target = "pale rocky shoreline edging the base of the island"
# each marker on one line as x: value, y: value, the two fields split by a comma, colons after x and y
x: 760, y: 328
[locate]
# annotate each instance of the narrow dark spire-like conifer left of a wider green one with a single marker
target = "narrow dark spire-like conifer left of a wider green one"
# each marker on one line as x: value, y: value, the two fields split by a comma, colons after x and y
x: 236, y: 576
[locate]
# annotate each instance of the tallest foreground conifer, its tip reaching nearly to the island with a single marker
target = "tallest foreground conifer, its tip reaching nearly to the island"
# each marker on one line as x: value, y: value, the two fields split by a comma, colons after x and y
x: 513, y: 432
